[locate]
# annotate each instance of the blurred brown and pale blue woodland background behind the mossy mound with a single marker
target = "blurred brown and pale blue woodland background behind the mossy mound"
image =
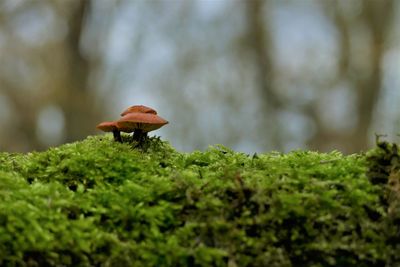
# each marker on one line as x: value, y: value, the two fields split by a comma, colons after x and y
x: 255, y: 75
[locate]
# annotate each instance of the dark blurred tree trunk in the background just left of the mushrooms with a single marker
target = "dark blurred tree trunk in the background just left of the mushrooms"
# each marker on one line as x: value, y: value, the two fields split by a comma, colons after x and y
x: 76, y: 99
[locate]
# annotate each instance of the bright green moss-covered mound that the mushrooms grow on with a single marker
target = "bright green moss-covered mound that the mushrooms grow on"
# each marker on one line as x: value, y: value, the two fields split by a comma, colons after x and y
x: 102, y: 203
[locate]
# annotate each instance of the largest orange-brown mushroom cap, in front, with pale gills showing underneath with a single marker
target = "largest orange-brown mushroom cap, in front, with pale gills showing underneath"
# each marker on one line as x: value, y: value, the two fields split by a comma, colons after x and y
x: 140, y: 121
